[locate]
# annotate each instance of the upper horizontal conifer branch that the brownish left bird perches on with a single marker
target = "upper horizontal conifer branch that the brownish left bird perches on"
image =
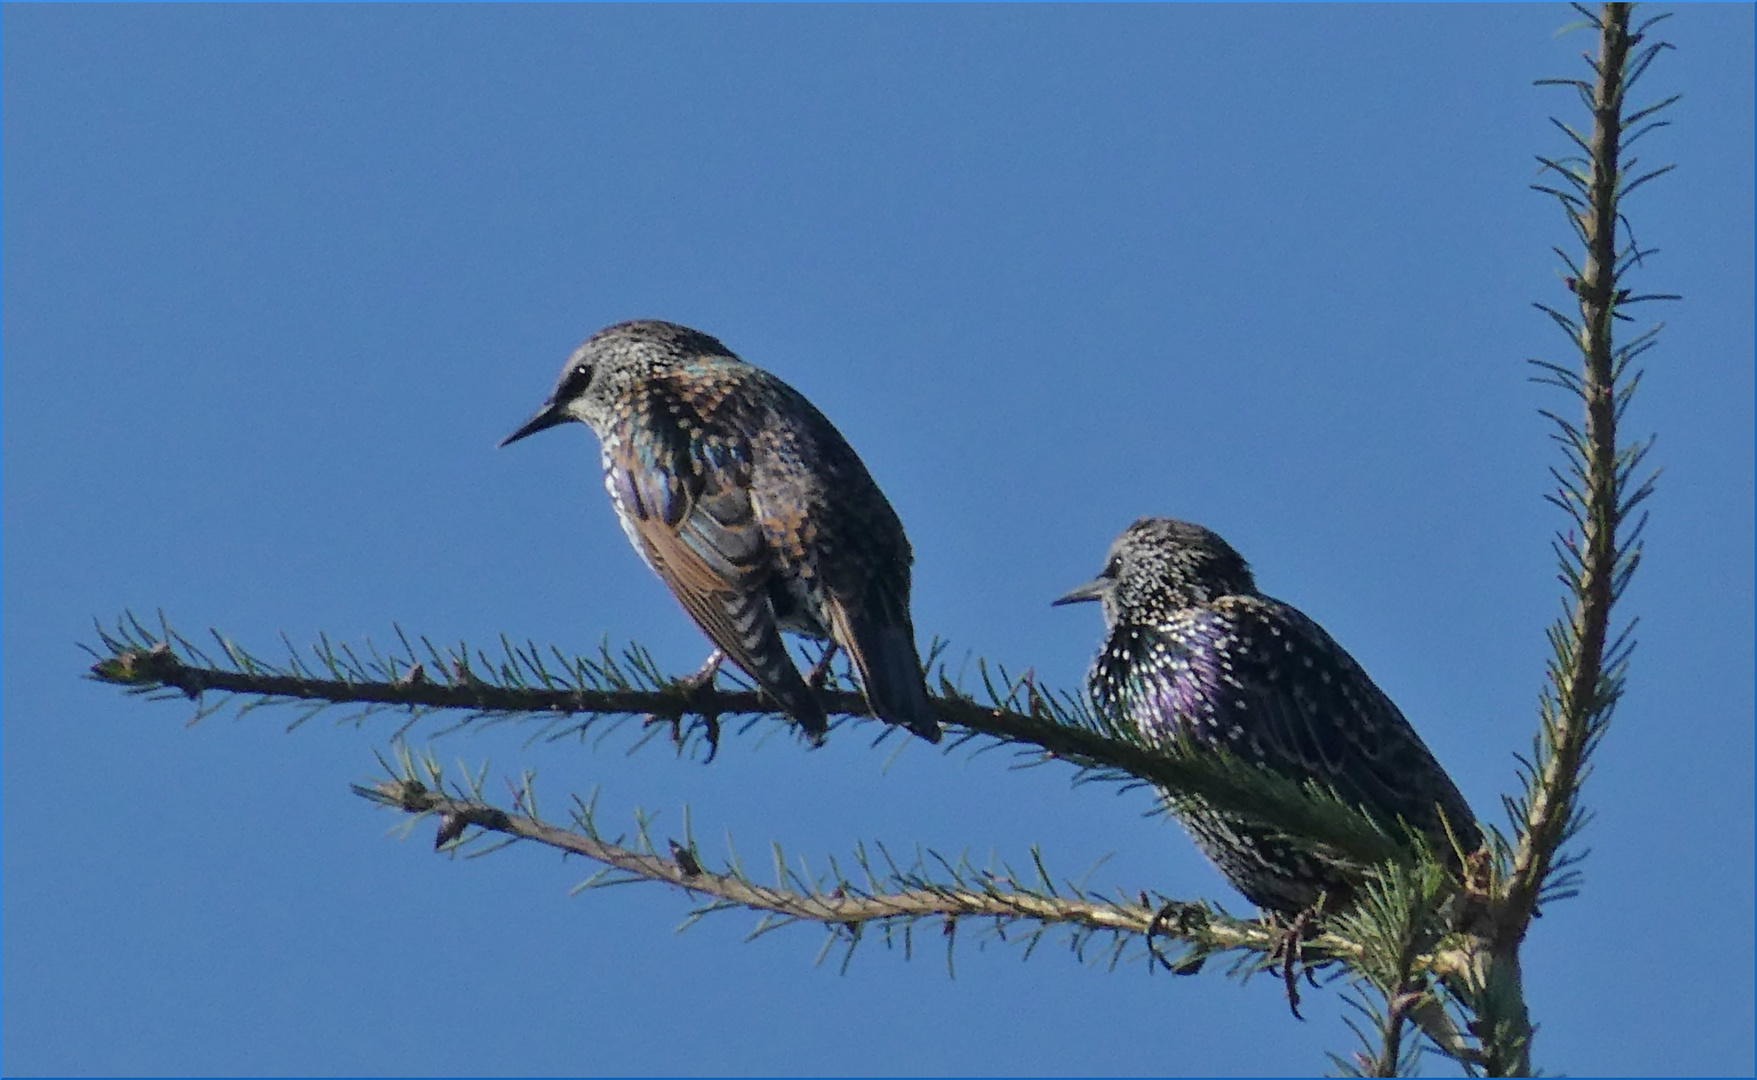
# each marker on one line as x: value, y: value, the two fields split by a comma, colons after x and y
x: 572, y: 695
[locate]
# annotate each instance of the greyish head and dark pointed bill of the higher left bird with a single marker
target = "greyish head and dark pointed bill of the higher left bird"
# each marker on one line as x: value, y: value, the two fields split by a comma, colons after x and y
x: 609, y: 364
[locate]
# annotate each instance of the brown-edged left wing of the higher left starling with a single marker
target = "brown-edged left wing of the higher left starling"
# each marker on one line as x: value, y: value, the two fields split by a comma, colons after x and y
x: 688, y: 505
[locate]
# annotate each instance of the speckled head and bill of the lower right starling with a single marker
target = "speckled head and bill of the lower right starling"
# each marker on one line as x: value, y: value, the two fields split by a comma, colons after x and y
x: 1160, y: 566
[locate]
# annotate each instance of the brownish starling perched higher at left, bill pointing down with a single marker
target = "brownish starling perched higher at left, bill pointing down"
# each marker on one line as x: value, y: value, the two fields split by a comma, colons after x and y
x: 753, y: 510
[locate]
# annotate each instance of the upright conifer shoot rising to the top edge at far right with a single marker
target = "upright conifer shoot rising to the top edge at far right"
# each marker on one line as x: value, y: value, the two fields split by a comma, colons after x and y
x: 1600, y: 489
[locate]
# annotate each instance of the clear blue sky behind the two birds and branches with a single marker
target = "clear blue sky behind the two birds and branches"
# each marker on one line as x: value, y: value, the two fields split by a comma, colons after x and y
x: 278, y: 278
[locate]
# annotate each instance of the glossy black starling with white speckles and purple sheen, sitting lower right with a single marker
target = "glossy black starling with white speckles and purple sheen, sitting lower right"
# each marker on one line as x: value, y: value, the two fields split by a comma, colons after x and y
x: 1192, y: 649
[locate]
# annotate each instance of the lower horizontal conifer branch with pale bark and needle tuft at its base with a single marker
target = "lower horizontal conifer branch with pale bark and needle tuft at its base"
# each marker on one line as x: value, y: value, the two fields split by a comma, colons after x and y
x: 888, y: 900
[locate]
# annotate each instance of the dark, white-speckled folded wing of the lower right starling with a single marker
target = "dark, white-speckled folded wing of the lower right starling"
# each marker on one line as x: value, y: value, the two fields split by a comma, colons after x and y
x: 1273, y: 688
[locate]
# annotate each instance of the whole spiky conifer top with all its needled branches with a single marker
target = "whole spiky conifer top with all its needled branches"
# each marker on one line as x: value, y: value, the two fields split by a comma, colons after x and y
x: 1421, y: 947
